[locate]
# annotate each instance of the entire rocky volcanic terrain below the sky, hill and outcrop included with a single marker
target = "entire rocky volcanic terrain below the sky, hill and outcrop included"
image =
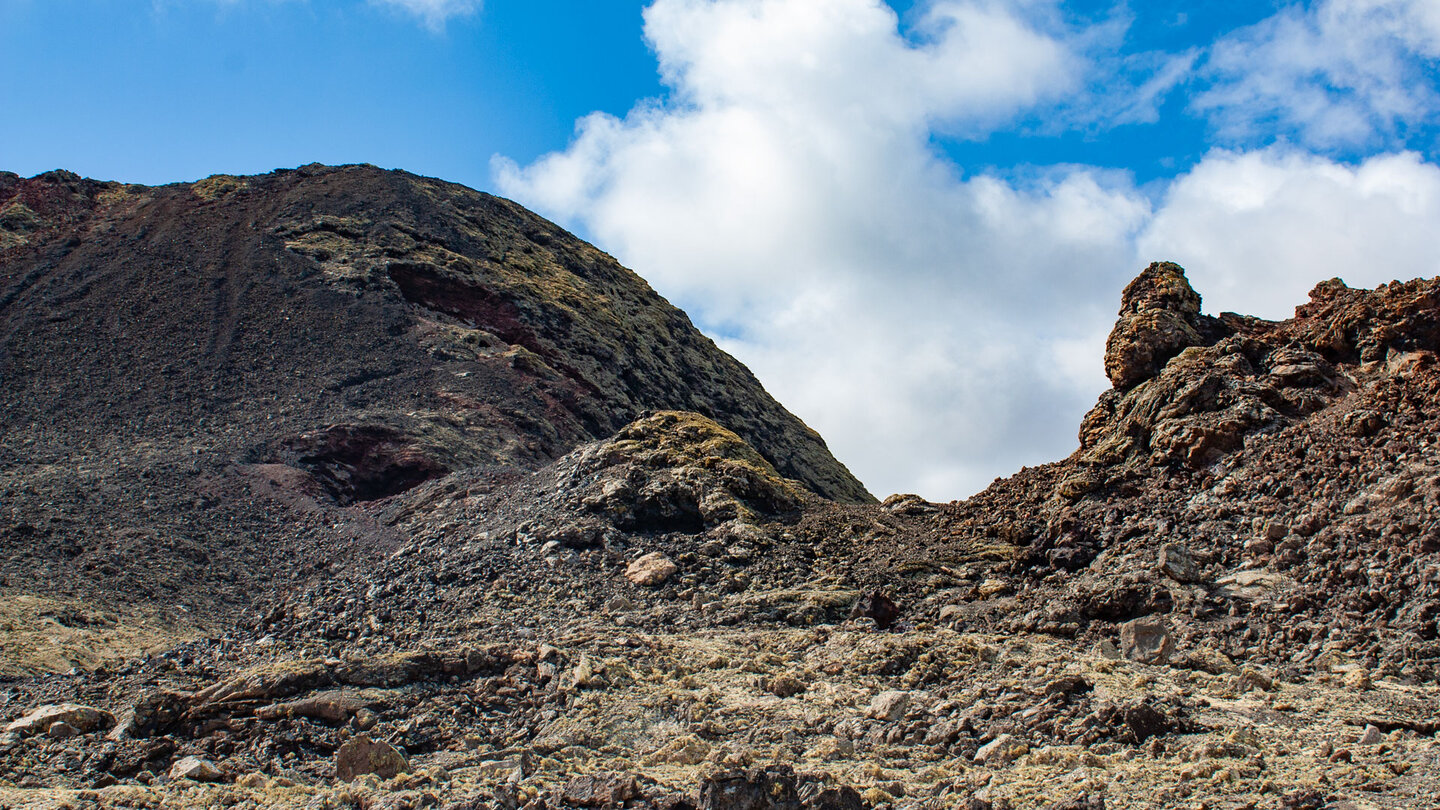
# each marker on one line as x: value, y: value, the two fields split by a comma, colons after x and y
x: 1229, y: 596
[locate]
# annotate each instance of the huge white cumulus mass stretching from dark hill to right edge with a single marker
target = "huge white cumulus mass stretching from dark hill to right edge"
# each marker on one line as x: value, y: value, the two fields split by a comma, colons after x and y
x: 938, y: 328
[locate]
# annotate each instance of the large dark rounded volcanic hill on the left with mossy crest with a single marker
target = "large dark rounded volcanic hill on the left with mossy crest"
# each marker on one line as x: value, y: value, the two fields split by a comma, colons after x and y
x: 179, y: 360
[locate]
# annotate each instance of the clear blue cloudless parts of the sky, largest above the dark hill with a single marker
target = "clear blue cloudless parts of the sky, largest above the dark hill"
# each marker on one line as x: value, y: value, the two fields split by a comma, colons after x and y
x: 168, y: 90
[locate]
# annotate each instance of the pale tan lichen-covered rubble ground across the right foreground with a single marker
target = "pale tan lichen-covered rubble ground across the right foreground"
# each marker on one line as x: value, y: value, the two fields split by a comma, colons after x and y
x: 650, y: 711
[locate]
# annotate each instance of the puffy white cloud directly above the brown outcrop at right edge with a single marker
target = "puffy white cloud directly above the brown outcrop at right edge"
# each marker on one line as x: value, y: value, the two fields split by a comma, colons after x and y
x: 1258, y: 231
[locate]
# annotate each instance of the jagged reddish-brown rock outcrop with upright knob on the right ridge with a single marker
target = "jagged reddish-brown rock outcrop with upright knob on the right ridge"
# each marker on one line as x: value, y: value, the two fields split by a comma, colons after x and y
x: 1189, y: 388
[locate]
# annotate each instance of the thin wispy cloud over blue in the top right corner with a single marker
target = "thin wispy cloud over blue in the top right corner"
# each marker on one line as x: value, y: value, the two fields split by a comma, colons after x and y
x: 1340, y: 74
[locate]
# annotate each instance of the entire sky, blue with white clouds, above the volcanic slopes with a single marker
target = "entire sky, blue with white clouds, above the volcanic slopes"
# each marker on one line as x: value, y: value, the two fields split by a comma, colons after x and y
x: 911, y: 220
